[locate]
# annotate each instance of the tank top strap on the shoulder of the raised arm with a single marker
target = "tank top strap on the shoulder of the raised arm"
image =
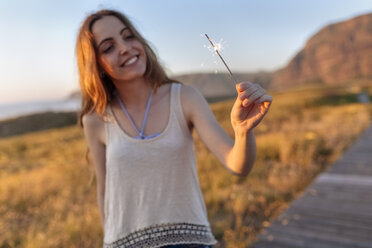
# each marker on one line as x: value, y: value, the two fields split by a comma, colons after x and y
x: 177, y: 107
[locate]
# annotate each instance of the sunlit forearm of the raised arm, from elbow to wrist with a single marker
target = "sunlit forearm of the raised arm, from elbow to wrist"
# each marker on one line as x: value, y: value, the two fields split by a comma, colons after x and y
x: 243, y: 154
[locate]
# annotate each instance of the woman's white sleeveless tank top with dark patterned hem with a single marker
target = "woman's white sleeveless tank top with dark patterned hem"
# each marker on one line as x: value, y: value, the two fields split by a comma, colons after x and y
x: 152, y: 192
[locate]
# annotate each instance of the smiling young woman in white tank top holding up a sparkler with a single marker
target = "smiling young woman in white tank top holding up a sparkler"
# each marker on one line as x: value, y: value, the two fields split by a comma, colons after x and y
x: 138, y: 124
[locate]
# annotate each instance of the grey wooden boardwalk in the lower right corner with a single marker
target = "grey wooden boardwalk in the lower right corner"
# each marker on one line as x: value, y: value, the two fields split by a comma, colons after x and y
x: 335, y: 211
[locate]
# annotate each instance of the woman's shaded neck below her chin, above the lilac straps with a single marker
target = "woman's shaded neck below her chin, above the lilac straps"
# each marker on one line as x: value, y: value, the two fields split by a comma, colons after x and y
x: 135, y: 92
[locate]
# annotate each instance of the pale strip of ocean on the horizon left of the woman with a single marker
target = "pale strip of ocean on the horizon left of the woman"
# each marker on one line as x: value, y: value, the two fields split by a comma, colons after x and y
x: 13, y: 110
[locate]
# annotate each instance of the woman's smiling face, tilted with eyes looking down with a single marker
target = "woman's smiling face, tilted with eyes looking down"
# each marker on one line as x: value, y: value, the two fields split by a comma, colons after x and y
x: 120, y: 54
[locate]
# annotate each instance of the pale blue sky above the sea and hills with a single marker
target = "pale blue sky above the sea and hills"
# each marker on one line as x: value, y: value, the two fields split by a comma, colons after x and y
x: 37, y: 43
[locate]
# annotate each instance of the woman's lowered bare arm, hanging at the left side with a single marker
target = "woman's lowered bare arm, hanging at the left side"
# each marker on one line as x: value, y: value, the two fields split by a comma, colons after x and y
x: 94, y: 135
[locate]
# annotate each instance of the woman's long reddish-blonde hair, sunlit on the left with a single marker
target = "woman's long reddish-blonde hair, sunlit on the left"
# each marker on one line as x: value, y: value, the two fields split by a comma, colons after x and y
x: 96, y: 91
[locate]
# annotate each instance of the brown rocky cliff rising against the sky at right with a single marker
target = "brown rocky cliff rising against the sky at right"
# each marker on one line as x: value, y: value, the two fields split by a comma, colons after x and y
x: 340, y: 53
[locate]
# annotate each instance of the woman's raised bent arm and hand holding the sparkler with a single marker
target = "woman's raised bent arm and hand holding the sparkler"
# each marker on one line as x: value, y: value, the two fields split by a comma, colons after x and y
x: 250, y: 107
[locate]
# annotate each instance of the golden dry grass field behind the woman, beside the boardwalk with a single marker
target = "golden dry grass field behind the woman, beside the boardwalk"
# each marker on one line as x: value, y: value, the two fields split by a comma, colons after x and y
x: 48, y: 191
